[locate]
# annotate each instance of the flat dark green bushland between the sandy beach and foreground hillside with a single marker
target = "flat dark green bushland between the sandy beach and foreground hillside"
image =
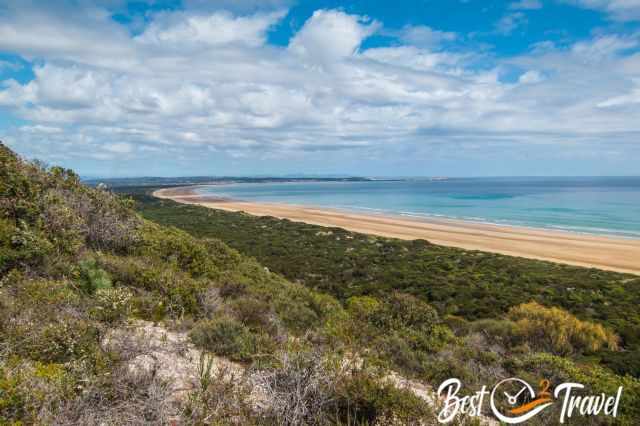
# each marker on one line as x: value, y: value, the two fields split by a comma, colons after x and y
x: 471, y: 285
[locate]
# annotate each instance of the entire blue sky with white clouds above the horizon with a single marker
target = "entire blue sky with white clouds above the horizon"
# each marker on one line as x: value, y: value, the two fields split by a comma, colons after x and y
x: 284, y: 87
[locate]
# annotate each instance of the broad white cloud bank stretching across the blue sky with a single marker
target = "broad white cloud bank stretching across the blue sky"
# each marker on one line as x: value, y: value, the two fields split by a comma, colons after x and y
x: 207, y: 80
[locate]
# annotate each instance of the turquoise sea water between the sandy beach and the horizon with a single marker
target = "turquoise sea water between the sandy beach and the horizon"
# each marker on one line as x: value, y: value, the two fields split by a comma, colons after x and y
x: 608, y: 205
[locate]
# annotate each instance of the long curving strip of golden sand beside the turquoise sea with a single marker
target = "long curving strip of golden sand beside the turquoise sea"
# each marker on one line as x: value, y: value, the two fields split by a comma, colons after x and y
x: 609, y: 253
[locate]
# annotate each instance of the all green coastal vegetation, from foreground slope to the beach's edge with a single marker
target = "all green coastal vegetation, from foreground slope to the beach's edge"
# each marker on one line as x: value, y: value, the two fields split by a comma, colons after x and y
x: 109, y: 316
